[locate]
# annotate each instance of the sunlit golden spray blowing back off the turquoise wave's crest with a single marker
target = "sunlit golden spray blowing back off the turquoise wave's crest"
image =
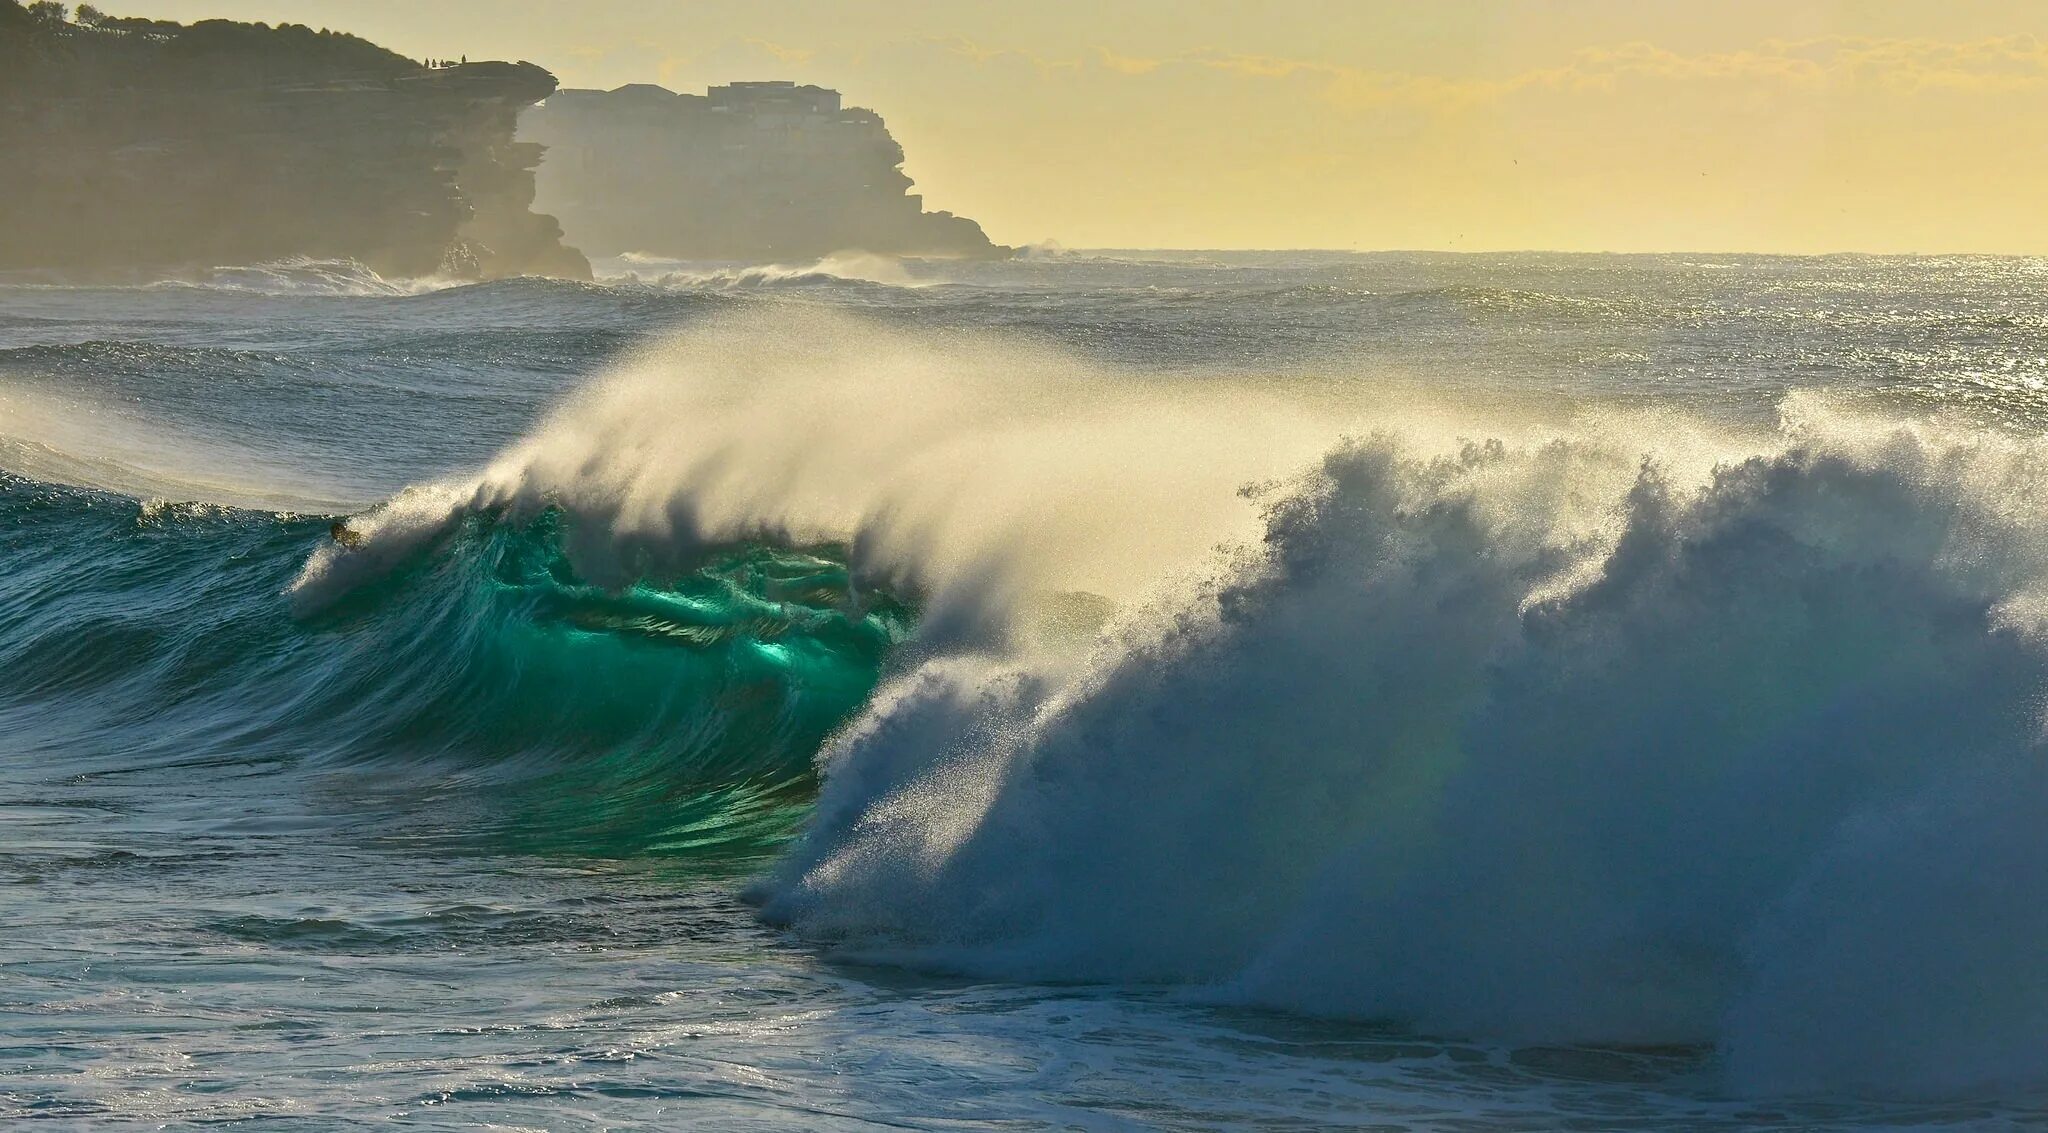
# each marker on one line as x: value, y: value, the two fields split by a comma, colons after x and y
x: 978, y: 472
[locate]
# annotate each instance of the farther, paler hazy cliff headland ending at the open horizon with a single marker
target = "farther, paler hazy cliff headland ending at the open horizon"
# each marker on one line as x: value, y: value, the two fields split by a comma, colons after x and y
x: 755, y: 171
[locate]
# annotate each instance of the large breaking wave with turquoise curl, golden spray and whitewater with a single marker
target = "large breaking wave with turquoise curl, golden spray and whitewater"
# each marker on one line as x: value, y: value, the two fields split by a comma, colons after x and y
x: 1613, y: 730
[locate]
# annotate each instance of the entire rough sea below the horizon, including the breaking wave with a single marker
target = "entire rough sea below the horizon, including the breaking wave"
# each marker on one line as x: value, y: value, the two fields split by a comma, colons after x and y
x: 1095, y: 691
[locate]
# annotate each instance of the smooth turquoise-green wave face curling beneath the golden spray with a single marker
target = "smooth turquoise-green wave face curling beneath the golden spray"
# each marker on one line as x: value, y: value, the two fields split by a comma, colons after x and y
x: 679, y: 714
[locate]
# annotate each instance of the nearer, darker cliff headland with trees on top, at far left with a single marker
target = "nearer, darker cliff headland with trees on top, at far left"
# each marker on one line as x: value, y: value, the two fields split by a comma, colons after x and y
x: 144, y: 144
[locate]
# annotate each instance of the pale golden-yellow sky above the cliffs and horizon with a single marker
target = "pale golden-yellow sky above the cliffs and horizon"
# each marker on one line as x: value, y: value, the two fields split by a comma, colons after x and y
x: 1621, y: 126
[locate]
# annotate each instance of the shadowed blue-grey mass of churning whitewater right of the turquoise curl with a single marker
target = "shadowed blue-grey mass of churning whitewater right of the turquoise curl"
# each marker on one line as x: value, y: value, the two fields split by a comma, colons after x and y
x: 1441, y: 755
